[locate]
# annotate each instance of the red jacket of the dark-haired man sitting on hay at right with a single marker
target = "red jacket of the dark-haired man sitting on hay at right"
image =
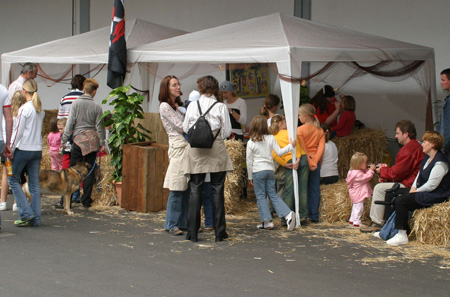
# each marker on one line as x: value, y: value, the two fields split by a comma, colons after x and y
x: 407, y: 164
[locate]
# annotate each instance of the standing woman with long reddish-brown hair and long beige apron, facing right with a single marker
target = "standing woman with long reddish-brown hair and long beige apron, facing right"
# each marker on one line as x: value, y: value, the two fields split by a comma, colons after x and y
x: 176, y: 181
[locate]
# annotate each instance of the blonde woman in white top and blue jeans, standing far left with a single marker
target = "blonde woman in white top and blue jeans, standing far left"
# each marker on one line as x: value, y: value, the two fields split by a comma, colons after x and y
x: 26, y: 143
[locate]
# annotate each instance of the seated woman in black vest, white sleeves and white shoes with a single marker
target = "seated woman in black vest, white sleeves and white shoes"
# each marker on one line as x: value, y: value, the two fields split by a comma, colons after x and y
x: 431, y: 186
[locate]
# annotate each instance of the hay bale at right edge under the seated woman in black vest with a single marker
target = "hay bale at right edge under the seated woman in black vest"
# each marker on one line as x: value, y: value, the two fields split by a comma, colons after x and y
x: 432, y: 225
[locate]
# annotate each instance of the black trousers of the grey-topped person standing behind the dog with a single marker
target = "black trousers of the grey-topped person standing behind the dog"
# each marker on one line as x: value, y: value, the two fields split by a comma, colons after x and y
x: 88, y: 183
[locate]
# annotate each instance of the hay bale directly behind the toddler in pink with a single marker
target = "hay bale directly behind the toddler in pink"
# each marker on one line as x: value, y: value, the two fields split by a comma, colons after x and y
x: 335, y: 203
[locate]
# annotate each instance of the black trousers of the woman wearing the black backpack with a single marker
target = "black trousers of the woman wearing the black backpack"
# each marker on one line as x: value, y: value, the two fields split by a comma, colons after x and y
x: 218, y: 201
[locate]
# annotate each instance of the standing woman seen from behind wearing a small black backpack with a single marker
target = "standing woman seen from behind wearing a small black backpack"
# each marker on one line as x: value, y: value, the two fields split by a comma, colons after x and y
x: 214, y: 160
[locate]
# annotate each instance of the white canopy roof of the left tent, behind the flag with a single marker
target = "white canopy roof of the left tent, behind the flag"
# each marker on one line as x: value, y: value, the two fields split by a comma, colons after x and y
x: 56, y: 58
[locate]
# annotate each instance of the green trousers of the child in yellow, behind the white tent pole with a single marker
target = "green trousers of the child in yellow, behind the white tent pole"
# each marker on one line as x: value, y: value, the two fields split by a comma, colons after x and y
x: 288, y: 196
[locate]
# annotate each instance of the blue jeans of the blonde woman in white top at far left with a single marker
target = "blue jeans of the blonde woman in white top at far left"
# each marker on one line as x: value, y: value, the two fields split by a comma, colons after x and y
x: 32, y: 161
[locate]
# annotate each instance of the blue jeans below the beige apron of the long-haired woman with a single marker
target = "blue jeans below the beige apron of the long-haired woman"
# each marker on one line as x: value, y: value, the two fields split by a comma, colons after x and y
x: 177, y: 210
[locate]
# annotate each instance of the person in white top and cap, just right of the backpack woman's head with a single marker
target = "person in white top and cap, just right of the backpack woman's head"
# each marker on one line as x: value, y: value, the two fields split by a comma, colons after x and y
x: 237, y: 108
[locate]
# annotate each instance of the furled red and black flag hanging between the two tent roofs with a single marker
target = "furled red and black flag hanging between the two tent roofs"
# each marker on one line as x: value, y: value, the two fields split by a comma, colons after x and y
x: 117, y: 59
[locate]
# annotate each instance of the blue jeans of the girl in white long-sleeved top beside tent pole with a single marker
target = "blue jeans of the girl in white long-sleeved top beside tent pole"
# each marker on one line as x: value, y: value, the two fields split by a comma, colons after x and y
x: 264, y: 185
